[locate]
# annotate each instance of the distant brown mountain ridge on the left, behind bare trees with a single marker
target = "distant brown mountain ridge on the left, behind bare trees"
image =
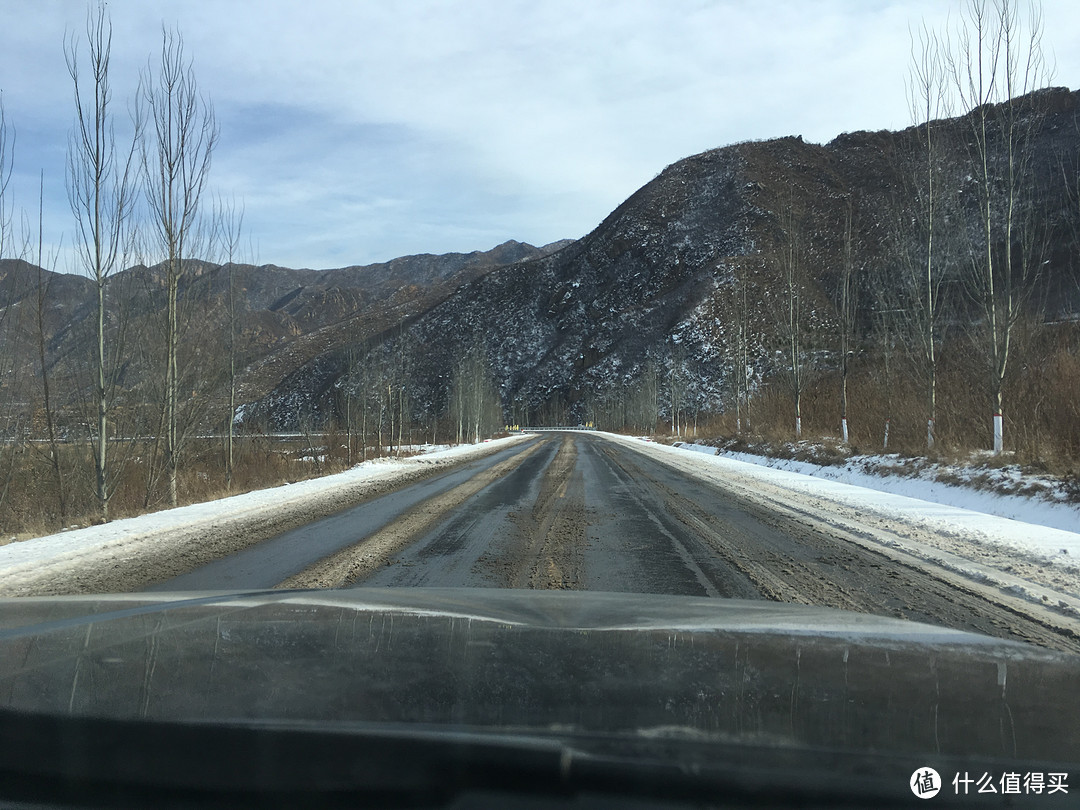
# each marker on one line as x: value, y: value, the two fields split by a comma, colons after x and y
x: 285, y: 317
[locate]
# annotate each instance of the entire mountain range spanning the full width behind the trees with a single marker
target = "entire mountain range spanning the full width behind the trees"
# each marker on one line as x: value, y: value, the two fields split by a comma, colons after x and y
x: 640, y: 314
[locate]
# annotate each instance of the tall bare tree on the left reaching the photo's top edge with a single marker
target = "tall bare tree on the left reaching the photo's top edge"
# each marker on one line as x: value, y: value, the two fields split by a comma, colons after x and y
x: 102, y: 192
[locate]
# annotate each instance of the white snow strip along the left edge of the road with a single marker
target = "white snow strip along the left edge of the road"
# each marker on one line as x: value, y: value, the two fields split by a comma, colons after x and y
x: 113, y: 537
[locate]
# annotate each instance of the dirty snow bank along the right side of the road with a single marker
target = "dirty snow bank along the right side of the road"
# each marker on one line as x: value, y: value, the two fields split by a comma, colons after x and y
x: 1007, y: 559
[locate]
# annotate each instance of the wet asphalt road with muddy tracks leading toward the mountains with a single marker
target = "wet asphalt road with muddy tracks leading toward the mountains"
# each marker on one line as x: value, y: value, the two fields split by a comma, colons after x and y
x: 576, y: 511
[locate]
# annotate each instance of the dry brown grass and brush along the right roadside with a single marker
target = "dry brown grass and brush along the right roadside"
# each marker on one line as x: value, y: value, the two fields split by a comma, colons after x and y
x: 1042, y: 418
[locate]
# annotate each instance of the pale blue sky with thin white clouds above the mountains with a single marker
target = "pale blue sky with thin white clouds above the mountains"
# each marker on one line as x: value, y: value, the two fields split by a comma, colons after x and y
x: 357, y: 131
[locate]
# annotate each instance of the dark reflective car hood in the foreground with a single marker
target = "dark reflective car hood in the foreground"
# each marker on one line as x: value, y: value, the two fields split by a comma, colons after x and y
x: 550, y: 663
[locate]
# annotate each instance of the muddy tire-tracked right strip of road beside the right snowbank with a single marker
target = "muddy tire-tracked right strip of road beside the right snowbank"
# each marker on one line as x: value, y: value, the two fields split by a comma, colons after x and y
x: 811, y: 561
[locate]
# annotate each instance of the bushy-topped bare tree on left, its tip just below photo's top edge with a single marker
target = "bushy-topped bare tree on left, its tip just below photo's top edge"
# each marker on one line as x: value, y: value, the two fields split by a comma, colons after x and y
x: 182, y: 133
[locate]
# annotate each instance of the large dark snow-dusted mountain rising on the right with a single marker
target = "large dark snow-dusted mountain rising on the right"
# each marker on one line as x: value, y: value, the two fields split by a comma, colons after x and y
x: 633, y: 304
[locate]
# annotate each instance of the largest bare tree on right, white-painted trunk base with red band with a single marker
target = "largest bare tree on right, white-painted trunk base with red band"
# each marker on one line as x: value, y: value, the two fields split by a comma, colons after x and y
x: 996, y: 60
